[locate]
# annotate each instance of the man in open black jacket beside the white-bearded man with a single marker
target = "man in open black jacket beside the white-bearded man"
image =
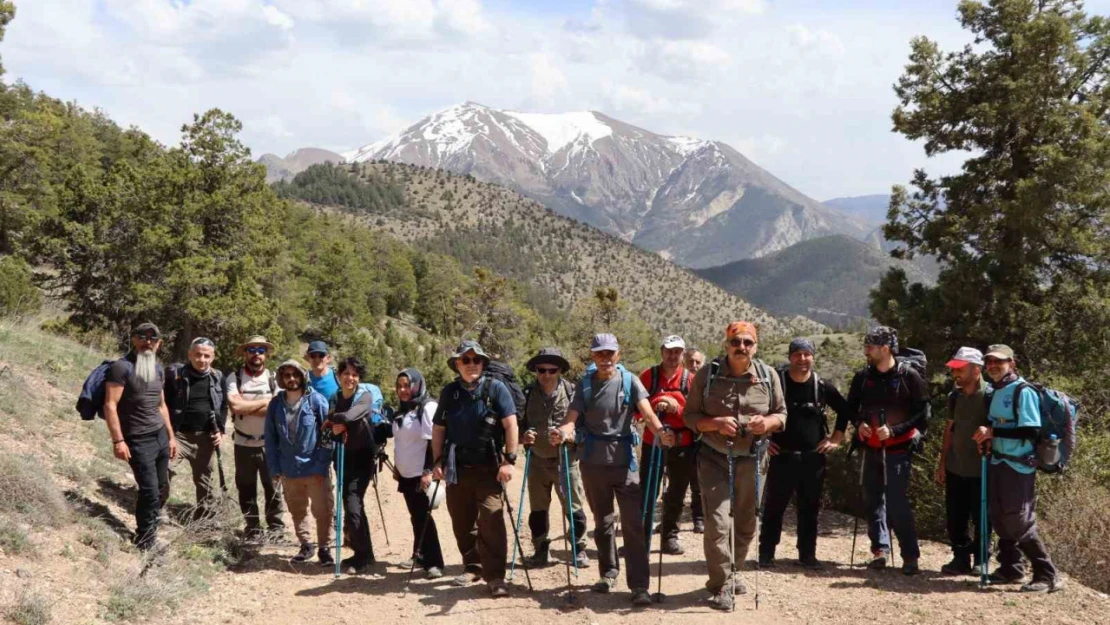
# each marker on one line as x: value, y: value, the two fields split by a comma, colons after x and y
x: 195, y: 396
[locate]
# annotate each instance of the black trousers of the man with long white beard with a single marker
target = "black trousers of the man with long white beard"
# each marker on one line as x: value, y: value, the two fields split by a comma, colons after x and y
x: 150, y: 462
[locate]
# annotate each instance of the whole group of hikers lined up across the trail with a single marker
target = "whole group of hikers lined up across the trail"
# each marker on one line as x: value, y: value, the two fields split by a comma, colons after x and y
x: 612, y: 439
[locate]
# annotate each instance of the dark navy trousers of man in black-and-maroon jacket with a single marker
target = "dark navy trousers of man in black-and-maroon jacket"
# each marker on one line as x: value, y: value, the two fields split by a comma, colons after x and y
x: 891, y: 508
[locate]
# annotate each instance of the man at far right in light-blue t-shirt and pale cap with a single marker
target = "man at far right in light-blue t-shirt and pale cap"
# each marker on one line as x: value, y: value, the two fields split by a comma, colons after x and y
x: 1015, y: 425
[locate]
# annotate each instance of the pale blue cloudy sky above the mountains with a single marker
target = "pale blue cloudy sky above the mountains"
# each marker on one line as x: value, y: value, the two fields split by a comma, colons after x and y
x: 801, y: 87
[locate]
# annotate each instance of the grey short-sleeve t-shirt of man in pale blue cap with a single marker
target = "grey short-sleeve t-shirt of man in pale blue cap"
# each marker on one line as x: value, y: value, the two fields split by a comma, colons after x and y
x: 607, y: 417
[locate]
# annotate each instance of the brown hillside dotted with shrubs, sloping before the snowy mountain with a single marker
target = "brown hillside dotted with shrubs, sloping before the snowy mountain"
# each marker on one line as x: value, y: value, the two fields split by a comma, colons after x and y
x: 483, y: 224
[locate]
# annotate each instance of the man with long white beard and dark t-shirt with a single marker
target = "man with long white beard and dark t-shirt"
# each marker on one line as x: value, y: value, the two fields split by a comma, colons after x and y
x: 139, y: 424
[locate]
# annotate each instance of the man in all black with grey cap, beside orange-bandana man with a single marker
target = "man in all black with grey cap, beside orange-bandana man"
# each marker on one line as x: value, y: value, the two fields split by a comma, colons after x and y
x: 798, y: 462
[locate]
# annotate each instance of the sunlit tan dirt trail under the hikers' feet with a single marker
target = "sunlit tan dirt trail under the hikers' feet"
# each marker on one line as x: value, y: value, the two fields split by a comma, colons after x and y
x: 270, y: 590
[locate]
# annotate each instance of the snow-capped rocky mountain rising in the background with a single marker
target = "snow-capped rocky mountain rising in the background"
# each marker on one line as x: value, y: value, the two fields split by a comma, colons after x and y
x: 698, y: 203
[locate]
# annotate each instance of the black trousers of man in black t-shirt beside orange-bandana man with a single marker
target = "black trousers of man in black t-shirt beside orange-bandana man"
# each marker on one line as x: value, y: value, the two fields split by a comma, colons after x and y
x: 790, y: 473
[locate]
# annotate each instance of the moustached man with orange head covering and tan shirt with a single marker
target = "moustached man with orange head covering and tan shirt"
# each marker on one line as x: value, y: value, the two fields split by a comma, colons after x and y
x: 734, y: 402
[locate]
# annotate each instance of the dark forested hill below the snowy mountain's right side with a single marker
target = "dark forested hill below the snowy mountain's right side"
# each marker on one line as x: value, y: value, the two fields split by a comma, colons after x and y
x: 826, y: 279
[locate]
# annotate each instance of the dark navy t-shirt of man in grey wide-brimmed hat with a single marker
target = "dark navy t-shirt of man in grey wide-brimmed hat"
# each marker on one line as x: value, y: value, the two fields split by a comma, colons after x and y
x: 463, y: 412
